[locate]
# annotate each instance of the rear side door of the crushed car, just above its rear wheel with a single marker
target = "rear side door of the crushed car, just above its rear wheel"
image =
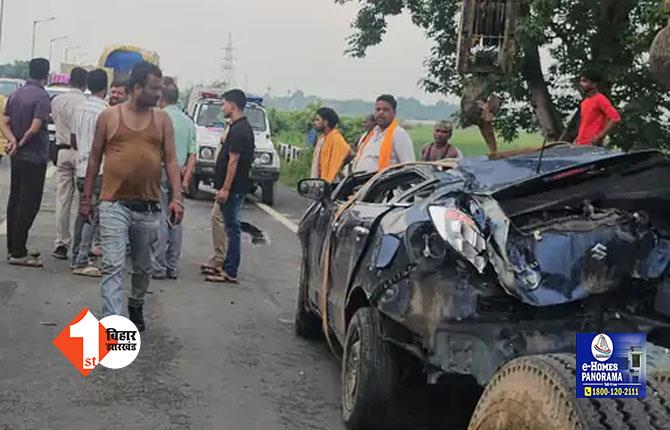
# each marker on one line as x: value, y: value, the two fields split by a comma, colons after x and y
x: 351, y: 234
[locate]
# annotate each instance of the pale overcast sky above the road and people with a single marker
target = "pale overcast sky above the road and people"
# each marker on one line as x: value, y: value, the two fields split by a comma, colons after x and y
x: 281, y: 44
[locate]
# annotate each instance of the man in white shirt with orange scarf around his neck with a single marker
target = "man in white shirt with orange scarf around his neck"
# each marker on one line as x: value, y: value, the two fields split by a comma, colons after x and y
x: 388, y: 144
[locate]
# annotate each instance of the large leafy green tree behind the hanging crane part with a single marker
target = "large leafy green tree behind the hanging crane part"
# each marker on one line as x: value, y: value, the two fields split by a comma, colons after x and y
x: 611, y: 35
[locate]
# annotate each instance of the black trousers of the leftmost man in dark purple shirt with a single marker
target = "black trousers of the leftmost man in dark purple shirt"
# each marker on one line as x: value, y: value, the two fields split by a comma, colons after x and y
x: 25, y: 198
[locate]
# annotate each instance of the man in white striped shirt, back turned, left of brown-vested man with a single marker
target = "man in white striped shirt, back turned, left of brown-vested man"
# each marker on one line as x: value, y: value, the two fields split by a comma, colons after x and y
x: 83, y: 129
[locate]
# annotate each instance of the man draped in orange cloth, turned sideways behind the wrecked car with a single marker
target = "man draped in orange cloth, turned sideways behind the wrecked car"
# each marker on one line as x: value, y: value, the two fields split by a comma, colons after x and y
x: 332, y: 151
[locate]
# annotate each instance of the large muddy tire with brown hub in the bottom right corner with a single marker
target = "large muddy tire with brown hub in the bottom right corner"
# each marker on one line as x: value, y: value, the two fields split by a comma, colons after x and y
x: 539, y: 391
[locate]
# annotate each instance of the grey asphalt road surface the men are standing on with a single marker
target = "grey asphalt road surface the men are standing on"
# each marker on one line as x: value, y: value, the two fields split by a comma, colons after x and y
x: 213, y: 356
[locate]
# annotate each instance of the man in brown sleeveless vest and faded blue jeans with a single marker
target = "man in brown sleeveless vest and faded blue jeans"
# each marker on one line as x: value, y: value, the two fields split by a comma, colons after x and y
x: 136, y: 139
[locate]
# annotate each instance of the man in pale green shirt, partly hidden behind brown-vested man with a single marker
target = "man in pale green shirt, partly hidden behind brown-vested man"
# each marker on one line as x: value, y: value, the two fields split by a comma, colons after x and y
x: 167, y: 249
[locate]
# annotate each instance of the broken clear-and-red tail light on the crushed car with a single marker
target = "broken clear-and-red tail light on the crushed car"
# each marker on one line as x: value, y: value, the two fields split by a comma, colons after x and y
x: 461, y: 233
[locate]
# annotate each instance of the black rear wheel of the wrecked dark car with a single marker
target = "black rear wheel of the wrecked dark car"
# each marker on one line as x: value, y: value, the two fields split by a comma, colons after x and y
x: 369, y: 374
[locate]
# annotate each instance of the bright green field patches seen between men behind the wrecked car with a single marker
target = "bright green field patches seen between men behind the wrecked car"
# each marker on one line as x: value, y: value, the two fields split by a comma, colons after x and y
x: 470, y: 141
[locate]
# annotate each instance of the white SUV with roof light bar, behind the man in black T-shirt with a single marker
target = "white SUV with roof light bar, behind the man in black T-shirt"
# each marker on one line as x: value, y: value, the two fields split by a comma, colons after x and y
x: 205, y: 110
